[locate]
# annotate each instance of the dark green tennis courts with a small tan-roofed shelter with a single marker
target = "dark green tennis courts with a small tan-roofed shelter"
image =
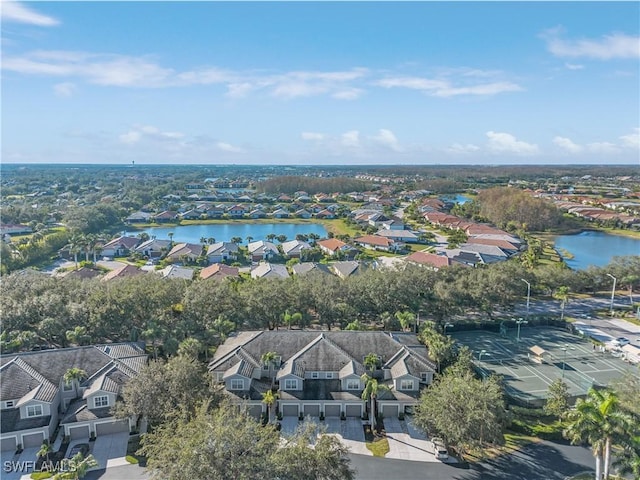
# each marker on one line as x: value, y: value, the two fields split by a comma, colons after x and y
x: 541, y: 356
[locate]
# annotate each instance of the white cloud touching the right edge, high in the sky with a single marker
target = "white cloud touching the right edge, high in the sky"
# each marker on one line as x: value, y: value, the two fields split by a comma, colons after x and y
x: 607, y: 47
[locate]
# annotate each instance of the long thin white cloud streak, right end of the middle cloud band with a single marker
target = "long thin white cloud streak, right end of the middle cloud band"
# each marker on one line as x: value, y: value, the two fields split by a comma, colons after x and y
x: 444, y: 88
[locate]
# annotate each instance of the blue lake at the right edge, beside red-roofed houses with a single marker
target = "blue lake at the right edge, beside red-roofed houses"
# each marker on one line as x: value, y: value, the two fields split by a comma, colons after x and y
x: 595, y: 248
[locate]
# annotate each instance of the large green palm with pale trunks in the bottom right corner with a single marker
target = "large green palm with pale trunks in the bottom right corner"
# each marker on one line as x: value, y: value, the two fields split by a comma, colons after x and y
x: 598, y: 419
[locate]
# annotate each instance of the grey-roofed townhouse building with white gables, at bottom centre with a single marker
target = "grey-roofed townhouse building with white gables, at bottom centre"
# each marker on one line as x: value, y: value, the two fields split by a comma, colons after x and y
x: 318, y: 373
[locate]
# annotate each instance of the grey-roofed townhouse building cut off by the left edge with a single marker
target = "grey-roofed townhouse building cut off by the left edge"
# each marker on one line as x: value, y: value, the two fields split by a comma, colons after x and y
x: 35, y: 397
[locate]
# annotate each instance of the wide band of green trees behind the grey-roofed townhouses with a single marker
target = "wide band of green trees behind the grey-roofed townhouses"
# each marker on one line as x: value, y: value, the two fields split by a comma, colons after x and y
x: 38, y: 309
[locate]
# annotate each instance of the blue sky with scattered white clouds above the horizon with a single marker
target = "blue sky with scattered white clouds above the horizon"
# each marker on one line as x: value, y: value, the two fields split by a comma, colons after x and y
x: 321, y: 82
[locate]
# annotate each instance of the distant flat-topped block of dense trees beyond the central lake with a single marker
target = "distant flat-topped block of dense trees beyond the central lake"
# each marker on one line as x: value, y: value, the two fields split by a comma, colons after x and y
x: 312, y: 185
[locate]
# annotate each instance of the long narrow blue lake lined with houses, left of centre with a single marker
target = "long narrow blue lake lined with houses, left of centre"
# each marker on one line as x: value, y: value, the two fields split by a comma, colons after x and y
x: 224, y: 232
